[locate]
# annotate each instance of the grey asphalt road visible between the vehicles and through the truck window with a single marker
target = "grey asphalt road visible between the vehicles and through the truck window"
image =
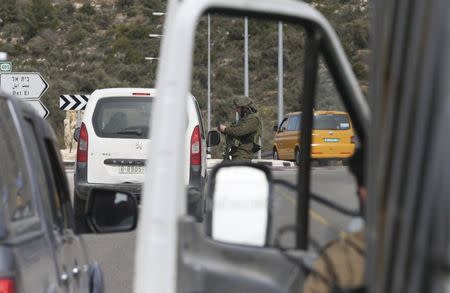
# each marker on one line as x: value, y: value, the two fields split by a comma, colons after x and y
x: 115, y: 252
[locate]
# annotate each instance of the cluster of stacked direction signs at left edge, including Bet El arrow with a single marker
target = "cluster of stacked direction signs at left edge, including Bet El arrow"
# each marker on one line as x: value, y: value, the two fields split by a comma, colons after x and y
x: 27, y: 86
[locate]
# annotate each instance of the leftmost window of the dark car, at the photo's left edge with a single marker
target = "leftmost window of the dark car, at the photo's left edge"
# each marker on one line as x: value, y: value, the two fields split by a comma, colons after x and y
x: 16, y: 192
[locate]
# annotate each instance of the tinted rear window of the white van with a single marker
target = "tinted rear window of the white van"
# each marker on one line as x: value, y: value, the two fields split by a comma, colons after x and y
x: 122, y: 117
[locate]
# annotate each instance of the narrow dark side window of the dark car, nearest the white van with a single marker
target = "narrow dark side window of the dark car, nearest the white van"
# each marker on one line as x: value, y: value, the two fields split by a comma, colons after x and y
x: 45, y: 179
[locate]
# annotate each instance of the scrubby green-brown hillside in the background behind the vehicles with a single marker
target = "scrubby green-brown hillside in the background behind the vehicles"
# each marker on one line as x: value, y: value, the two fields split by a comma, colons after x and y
x: 82, y: 45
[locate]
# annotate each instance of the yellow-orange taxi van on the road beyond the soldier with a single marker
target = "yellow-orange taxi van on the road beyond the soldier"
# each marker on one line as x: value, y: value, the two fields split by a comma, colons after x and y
x: 332, y: 137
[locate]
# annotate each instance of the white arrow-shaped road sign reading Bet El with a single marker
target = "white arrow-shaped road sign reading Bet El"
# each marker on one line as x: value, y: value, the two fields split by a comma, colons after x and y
x: 24, y: 85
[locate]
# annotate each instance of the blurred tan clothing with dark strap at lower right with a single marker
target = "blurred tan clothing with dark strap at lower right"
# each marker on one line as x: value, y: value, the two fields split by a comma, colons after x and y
x: 341, y: 264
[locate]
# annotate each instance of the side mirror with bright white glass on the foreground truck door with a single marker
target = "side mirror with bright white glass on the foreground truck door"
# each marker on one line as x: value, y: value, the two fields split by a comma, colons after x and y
x: 238, y: 204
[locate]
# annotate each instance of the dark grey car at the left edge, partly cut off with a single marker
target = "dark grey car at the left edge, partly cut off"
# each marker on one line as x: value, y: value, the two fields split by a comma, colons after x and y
x: 39, y: 251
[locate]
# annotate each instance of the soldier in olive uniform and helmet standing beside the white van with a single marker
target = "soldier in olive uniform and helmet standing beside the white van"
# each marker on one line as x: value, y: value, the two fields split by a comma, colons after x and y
x: 242, y: 136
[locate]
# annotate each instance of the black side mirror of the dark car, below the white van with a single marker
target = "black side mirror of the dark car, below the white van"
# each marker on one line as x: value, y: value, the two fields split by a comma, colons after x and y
x: 111, y: 211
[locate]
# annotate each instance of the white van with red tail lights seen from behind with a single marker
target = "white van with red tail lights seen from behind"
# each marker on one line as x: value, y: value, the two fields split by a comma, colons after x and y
x: 113, y: 143
